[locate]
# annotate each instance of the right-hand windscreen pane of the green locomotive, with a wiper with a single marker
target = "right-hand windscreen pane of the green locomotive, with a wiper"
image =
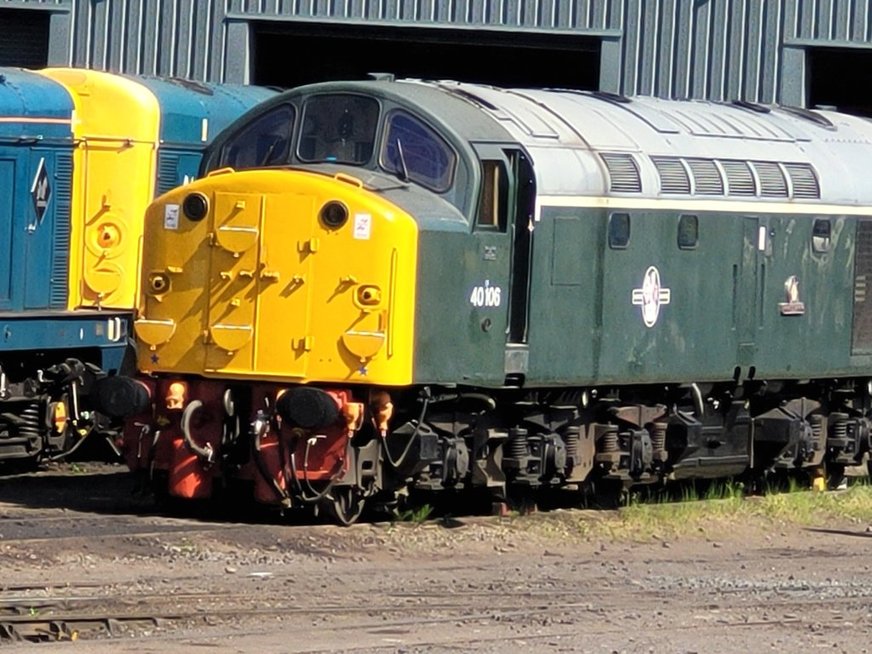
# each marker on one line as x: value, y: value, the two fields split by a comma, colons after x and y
x: 415, y: 152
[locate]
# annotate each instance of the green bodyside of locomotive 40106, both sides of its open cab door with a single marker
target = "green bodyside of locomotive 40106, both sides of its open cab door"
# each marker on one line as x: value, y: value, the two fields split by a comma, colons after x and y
x: 722, y: 313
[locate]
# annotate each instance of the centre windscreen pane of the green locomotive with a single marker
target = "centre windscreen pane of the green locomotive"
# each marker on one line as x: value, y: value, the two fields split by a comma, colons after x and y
x: 338, y: 128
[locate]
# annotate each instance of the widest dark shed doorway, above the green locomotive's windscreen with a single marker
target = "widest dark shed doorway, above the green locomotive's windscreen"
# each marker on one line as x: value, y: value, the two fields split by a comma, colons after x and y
x: 290, y: 54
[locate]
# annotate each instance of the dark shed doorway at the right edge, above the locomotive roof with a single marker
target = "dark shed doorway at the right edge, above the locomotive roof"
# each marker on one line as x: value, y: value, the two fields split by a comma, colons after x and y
x: 840, y: 78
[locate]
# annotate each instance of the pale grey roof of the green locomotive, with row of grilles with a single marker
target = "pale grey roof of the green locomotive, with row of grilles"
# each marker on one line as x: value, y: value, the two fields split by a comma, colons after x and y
x: 599, y: 144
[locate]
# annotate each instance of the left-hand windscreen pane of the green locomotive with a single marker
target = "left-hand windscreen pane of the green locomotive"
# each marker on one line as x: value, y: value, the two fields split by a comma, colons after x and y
x: 266, y: 142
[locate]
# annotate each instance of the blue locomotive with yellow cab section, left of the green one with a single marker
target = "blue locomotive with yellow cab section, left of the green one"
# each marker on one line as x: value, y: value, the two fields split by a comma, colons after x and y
x: 82, y: 153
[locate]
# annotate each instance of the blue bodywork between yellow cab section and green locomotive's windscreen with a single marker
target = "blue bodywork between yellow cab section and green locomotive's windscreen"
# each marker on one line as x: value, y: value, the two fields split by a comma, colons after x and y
x: 192, y: 114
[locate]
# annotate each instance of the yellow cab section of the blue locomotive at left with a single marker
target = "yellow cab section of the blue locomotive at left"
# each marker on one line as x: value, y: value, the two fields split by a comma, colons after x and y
x: 116, y: 129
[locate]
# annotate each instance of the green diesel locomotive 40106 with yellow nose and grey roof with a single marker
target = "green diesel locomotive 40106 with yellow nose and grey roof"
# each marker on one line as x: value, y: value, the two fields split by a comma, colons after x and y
x: 390, y: 285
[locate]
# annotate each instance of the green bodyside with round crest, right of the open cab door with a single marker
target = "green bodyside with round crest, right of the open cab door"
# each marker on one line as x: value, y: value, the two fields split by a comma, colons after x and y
x: 722, y: 310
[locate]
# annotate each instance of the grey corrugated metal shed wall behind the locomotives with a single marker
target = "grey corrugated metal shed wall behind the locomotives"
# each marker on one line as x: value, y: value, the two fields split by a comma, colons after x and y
x: 719, y: 49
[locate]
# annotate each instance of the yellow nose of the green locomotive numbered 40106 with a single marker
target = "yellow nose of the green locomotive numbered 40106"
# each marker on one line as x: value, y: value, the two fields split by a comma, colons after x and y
x: 311, y: 277
